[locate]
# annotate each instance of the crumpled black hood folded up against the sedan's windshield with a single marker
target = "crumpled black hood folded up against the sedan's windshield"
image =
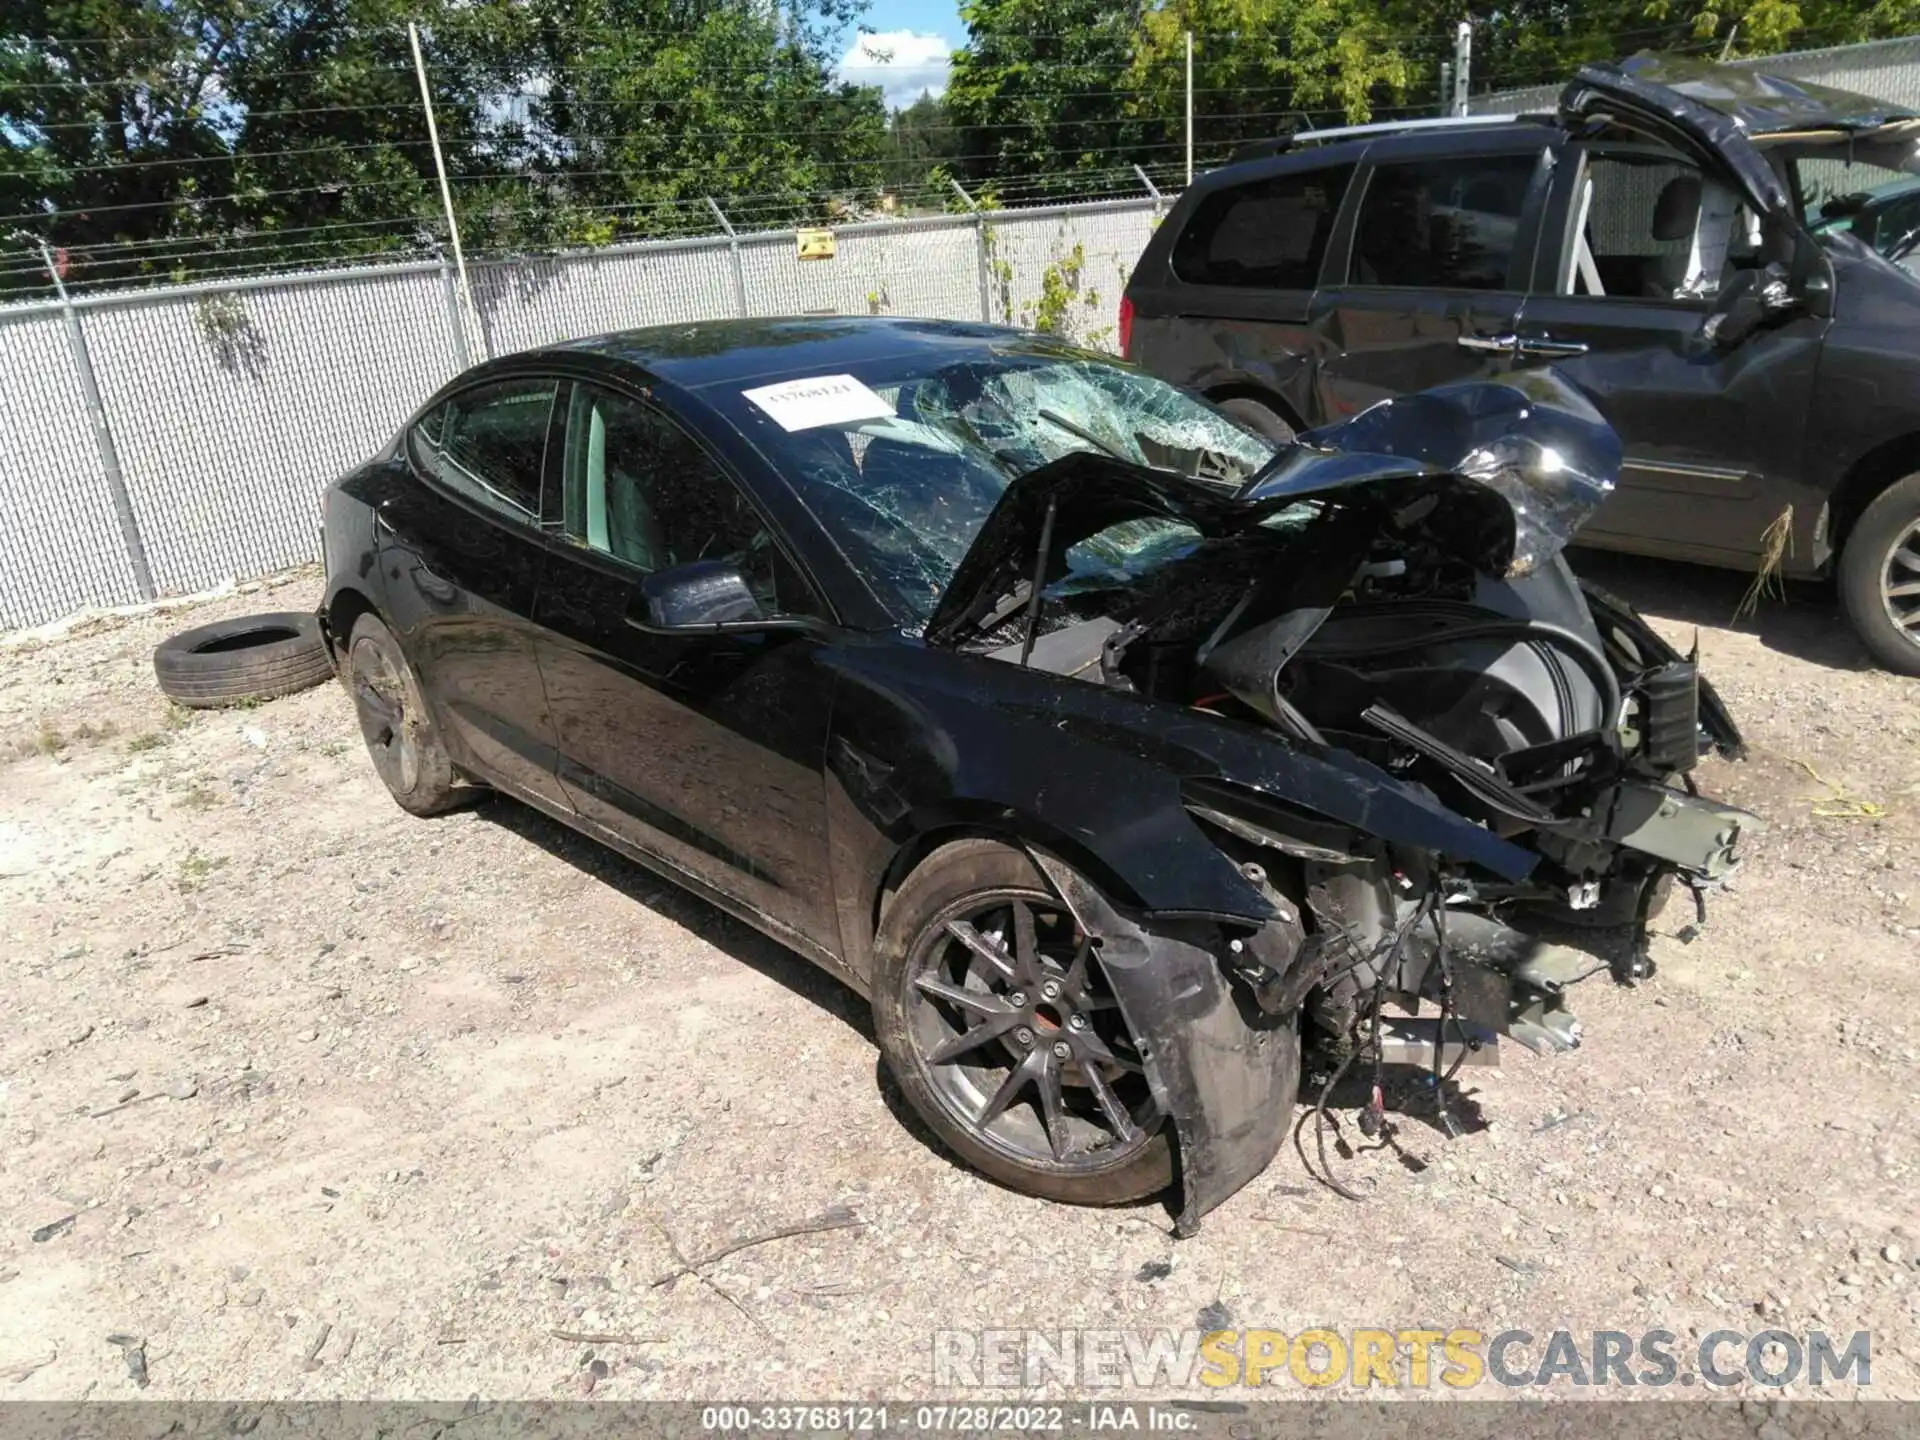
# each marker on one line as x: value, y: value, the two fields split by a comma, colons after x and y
x: 1500, y: 473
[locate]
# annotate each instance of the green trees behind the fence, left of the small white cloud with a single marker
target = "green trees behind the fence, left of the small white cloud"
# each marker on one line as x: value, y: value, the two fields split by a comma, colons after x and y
x: 172, y: 137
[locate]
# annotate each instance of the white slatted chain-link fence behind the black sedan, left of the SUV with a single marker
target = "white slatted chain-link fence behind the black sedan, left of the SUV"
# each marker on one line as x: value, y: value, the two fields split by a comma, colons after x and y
x: 228, y: 408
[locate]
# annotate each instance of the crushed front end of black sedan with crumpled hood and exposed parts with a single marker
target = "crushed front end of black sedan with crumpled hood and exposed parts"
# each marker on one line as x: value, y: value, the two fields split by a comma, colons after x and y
x: 1393, y: 588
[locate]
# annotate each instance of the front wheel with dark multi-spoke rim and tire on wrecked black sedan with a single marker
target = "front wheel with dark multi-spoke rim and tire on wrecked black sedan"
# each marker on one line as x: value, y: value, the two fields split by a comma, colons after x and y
x: 1001, y: 1030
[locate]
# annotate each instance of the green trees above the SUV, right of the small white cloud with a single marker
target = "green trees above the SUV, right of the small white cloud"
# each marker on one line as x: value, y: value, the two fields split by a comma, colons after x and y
x: 1270, y: 66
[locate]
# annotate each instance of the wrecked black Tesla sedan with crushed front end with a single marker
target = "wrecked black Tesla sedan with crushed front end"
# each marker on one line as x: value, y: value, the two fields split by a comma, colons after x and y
x: 1095, y: 738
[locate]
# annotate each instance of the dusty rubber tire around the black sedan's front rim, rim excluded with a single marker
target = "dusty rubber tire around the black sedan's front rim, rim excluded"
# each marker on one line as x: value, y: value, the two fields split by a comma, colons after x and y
x: 940, y: 882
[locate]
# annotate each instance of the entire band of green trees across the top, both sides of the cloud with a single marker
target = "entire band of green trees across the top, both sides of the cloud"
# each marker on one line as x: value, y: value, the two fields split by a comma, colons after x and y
x: 180, y: 137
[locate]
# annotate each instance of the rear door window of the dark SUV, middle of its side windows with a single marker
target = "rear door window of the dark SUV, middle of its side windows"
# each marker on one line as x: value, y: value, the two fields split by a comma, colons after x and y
x: 1445, y: 224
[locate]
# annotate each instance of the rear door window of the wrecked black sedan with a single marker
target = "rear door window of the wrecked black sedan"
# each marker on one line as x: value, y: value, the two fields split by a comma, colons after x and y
x: 491, y: 444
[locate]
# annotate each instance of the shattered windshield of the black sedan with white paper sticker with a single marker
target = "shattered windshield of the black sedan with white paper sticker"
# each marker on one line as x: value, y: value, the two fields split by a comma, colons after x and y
x: 903, y: 462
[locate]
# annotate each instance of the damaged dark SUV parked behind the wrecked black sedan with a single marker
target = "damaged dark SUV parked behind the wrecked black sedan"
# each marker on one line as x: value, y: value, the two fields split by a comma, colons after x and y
x: 1719, y: 258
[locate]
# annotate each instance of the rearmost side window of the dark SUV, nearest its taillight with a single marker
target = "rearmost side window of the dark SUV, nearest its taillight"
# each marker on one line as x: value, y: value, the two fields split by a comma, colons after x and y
x: 1268, y: 235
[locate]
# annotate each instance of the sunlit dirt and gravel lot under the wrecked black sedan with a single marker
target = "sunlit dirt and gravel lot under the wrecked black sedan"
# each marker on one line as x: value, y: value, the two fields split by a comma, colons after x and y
x: 322, y: 1101
